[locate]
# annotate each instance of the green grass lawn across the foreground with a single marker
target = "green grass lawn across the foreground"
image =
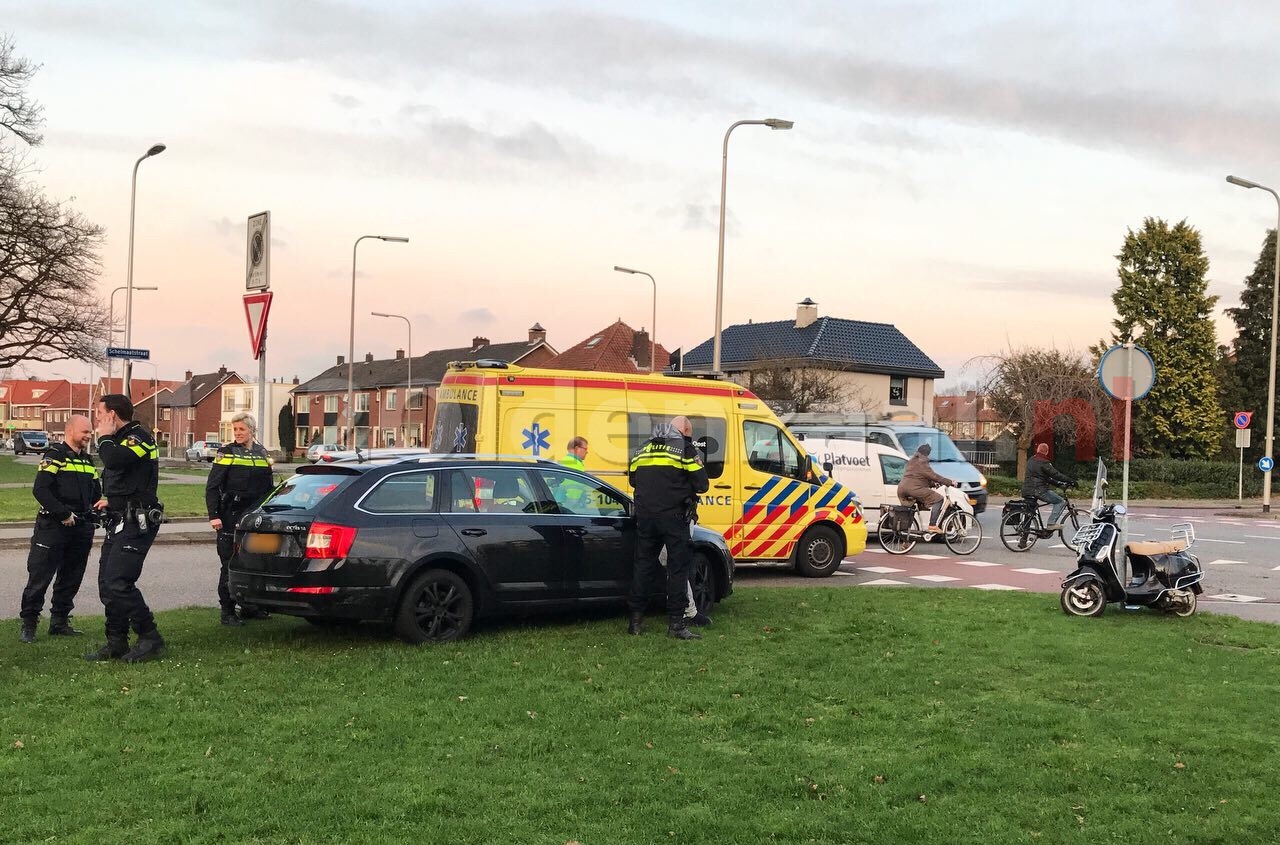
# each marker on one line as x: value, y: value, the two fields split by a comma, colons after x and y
x: 807, y: 716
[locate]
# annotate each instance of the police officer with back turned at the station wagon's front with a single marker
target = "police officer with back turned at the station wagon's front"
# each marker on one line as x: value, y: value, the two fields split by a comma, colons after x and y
x: 668, y: 478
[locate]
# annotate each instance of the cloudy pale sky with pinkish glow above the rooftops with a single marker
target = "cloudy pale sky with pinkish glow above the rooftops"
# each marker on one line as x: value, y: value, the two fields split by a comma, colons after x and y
x: 966, y: 172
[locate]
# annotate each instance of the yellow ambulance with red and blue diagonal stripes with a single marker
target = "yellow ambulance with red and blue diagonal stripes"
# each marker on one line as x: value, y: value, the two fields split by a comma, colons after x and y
x: 767, y: 497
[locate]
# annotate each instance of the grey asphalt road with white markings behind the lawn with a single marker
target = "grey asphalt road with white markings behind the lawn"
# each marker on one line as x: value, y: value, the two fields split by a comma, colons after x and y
x: 1241, y: 558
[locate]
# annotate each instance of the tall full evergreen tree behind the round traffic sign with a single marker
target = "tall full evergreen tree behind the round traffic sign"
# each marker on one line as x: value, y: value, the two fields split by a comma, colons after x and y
x: 1163, y: 304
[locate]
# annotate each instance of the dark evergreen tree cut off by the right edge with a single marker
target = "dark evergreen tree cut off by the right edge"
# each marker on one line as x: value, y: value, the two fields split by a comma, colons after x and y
x: 1251, y: 353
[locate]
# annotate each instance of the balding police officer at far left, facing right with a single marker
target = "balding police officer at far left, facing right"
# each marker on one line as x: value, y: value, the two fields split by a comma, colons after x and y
x: 67, y: 488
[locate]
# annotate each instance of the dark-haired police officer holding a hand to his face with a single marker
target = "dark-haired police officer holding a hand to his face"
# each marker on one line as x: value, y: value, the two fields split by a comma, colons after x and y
x: 131, y: 474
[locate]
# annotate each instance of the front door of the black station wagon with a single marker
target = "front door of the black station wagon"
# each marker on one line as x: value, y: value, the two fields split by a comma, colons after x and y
x: 598, y: 535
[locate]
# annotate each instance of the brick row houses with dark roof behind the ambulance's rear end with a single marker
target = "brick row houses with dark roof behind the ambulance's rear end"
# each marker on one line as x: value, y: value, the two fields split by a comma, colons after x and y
x: 381, y: 392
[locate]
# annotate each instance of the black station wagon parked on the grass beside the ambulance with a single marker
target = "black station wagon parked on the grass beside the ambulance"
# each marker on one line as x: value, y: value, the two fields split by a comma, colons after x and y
x: 432, y: 543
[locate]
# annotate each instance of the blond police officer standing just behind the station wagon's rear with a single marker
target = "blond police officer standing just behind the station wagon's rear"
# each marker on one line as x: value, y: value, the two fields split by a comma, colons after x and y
x: 239, y: 483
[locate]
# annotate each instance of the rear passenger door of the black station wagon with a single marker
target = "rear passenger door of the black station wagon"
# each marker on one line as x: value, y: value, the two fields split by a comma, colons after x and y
x: 509, y: 531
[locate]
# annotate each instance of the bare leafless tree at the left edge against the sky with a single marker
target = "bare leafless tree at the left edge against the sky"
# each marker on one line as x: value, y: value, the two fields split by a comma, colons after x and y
x: 49, y: 267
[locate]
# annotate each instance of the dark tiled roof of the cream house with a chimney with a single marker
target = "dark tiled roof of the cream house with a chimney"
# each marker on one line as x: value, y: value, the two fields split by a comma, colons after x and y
x: 854, y: 345
